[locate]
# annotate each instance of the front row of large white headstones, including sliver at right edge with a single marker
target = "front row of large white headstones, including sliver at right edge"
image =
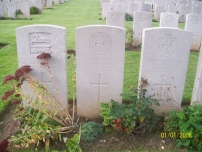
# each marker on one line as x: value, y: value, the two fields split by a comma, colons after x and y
x: 100, y: 51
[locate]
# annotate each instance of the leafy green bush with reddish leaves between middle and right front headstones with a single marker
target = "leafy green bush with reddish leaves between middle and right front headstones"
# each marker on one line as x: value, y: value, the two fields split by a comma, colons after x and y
x: 132, y: 116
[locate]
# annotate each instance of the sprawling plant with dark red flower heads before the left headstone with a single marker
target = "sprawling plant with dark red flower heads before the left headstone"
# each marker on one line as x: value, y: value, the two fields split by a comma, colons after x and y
x: 33, y: 127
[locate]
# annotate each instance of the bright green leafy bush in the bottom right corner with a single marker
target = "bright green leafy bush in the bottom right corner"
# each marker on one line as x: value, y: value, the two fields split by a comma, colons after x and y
x: 186, y: 125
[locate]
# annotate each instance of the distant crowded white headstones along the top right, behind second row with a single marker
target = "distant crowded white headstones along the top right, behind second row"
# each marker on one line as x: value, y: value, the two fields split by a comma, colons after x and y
x: 159, y: 7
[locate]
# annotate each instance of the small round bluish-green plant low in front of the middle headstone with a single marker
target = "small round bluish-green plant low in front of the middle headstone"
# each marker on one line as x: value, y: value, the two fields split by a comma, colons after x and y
x: 90, y: 131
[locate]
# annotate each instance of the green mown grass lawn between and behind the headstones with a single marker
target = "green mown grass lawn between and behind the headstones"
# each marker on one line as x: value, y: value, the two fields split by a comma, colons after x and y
x: 71, y: 15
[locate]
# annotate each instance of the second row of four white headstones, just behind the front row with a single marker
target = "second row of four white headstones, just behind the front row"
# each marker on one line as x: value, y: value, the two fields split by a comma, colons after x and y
x: 142, y: 20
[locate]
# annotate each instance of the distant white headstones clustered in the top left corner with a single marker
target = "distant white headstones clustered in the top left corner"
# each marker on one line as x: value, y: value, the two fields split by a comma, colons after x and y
x: 8, y: 8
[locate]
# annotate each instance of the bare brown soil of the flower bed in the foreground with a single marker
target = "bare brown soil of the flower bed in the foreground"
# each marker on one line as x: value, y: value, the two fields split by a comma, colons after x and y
x: 107, y: 142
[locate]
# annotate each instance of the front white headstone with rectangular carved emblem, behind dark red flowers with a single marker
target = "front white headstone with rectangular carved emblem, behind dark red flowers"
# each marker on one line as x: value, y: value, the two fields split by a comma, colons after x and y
x: 36, y: 39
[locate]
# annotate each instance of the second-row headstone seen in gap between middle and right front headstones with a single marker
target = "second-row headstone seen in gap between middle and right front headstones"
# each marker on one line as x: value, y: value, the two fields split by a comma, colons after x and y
x: 141, y: 20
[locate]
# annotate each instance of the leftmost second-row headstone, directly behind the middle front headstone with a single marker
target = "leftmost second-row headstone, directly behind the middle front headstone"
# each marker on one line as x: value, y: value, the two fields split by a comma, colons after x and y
x: 115, y: 18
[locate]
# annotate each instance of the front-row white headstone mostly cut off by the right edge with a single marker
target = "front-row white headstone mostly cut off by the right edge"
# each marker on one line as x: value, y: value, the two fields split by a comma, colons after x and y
x: 197, y: 90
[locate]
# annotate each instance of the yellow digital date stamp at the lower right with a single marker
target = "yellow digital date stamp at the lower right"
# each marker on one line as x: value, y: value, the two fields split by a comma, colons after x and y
x: 176, y: 135
